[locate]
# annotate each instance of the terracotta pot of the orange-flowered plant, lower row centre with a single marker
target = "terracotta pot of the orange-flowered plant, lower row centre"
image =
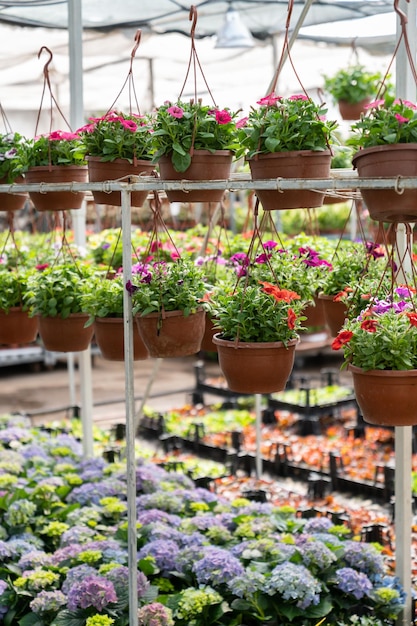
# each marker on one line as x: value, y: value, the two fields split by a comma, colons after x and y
x: 255, y: 367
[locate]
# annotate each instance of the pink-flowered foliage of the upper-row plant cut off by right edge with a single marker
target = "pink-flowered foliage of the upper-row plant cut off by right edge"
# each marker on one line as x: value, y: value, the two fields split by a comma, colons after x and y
x: 388, y: 121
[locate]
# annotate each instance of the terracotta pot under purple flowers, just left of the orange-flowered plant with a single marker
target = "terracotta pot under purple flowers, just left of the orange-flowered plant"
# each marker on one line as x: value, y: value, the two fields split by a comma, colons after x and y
x: 172, y: 334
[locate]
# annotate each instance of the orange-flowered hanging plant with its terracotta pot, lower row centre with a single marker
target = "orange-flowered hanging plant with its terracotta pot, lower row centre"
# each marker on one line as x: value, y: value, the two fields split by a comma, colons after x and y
x: 258, y: 324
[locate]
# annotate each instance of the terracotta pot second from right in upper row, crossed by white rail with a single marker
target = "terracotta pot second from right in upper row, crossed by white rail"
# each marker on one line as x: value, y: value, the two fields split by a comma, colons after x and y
x: 295, y: 164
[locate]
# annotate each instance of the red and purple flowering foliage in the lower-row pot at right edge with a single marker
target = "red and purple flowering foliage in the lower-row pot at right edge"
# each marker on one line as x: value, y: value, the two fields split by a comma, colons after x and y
x: 384, y: 335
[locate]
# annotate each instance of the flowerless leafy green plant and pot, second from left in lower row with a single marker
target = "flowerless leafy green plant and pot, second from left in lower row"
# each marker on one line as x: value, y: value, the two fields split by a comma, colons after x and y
x: 54, y: 296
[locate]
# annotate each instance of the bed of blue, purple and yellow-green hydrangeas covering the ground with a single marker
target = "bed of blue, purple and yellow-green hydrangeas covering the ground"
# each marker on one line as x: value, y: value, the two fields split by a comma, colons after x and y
x: 201, y: 559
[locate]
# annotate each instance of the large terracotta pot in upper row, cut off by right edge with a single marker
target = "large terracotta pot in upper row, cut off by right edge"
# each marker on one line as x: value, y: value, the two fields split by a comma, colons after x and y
x: 386, y: 205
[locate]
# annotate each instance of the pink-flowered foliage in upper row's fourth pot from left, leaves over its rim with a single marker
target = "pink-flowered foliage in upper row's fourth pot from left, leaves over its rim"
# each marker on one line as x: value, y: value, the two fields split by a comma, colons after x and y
x: 181, y: 127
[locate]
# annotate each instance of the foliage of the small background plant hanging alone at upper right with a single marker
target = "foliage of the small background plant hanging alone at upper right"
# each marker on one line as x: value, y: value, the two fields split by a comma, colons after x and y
x: 353, y: 84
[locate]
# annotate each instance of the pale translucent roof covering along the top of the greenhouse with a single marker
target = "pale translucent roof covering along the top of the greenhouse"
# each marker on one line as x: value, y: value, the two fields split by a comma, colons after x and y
x: 262, y: 17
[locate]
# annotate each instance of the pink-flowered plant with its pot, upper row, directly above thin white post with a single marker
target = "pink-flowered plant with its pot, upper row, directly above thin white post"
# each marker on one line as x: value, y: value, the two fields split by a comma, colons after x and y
x: 118, y: 145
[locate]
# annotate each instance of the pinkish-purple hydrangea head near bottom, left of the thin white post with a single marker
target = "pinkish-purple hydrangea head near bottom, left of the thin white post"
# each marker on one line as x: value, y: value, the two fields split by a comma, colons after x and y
x: 93, y: 591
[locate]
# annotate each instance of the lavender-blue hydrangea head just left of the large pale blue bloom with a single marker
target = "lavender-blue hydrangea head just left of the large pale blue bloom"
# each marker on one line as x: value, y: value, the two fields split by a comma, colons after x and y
x: 217, y: 567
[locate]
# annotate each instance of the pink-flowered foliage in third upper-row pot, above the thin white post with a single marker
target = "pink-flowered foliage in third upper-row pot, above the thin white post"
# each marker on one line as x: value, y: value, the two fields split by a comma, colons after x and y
x: 116, y: 135
